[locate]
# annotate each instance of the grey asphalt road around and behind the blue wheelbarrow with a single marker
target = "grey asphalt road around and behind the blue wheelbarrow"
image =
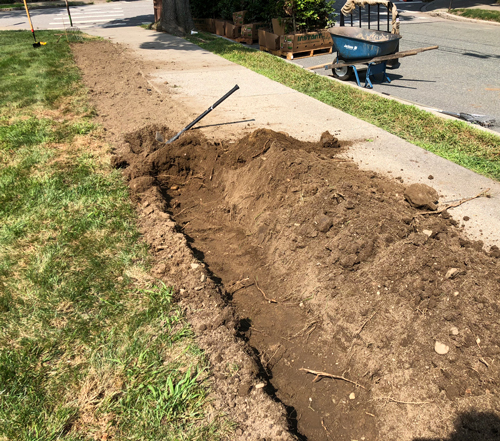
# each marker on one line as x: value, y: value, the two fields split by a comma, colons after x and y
x: 462, y: 76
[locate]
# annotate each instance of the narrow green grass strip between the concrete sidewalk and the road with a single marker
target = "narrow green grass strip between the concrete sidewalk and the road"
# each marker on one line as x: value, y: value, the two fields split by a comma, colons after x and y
x: 457, y: 141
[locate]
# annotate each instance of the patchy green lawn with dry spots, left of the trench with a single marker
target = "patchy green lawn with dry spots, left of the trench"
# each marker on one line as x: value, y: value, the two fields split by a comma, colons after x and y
x: 91, y: 346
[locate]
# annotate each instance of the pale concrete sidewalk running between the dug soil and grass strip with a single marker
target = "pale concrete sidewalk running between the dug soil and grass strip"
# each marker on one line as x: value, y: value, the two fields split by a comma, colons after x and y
x: 199, y: 78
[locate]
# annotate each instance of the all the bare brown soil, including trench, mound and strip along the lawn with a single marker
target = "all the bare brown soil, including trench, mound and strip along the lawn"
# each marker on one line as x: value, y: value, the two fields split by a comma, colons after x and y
x: 287, y: 257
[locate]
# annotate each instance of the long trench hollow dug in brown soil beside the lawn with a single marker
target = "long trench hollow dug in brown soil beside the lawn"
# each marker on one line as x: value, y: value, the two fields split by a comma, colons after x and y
x: 232, y: 225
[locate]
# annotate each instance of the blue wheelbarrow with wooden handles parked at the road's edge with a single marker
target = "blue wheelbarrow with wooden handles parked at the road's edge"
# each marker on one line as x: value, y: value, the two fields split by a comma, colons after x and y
x: 374, y: 48
